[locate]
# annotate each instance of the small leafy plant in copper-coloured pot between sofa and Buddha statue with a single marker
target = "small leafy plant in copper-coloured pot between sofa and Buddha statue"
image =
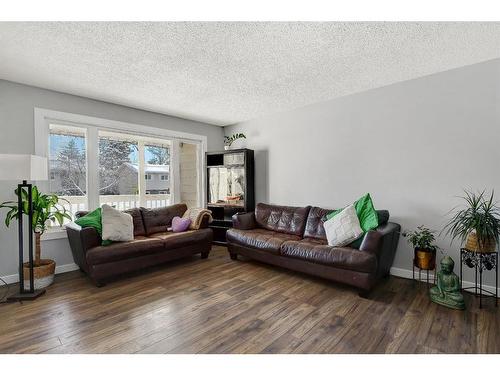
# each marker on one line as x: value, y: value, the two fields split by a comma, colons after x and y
x: 422, y: 241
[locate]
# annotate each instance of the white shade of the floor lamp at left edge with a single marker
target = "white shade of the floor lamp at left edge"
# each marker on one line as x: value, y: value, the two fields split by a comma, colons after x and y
x: 19, y: 167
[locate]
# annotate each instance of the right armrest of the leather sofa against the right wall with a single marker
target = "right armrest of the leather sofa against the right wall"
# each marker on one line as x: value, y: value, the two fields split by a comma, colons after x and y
x: 382, y: 242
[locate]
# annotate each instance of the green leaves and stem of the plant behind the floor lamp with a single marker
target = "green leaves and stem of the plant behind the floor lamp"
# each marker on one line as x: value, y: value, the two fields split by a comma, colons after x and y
x: 46, y: 208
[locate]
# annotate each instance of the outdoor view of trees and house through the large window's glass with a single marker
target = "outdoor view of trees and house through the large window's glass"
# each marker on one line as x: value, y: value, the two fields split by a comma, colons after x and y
x: 129, y: 170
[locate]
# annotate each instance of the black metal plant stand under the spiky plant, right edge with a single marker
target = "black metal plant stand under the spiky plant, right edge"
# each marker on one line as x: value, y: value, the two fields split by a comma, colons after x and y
x: 480, y: 262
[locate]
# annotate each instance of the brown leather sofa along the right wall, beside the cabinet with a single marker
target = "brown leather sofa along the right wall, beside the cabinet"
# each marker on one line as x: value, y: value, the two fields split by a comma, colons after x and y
x: 294, y: 238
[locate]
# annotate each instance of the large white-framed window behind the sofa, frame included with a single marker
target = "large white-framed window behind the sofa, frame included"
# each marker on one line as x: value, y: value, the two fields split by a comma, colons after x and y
x: 94, y: 161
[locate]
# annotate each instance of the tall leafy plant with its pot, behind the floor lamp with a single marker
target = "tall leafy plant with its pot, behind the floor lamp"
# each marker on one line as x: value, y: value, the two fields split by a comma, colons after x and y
x: 46, y: 209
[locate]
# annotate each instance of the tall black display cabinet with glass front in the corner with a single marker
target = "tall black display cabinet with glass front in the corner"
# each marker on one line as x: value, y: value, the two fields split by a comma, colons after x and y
x: 230, y: 188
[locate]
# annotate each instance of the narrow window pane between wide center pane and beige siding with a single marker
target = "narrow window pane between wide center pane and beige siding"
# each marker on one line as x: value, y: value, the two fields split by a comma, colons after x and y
x: 157, y: 168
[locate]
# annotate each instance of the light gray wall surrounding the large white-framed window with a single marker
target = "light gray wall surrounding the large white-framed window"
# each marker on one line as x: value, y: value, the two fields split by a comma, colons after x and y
x: 16, y: 136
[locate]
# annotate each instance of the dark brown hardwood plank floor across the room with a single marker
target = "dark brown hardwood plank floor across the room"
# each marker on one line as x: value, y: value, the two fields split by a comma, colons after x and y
x: 222, y: 306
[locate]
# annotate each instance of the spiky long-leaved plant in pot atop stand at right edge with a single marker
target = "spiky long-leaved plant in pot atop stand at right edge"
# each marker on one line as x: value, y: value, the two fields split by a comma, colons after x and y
x: 477, y: 225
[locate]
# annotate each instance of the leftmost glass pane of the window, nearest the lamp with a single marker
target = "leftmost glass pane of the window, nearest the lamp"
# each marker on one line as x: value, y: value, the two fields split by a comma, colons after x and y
x: 68, y: 165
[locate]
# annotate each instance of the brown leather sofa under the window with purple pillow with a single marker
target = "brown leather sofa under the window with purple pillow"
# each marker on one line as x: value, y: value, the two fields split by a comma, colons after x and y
x: 152, y: 244
